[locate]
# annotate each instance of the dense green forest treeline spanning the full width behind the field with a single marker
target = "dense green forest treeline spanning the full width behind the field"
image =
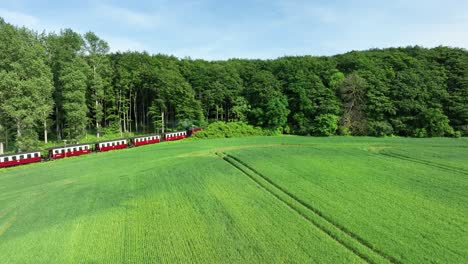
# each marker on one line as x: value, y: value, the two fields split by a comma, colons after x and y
x: 63, y: 85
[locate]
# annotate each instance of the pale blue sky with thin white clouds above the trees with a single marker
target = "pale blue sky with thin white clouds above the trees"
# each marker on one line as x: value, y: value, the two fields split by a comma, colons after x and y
x: 255, y: 29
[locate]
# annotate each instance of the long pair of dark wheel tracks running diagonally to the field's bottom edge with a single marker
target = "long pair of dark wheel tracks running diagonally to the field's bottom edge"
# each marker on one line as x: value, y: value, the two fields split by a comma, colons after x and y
x: 335, y: 231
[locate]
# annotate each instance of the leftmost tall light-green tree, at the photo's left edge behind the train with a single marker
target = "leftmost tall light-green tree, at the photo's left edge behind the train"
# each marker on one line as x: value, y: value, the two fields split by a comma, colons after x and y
x: 25, y: 83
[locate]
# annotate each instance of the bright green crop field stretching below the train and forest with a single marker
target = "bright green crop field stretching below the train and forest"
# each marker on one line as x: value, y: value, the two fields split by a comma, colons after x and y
x: 263, y: 199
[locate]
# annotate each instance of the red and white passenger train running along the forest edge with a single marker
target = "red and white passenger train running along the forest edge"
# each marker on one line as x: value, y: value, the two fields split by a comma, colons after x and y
x: 8, y: 160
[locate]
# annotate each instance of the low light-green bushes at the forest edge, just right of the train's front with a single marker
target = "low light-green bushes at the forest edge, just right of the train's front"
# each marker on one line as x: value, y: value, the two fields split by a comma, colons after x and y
x: 233, y: 129
